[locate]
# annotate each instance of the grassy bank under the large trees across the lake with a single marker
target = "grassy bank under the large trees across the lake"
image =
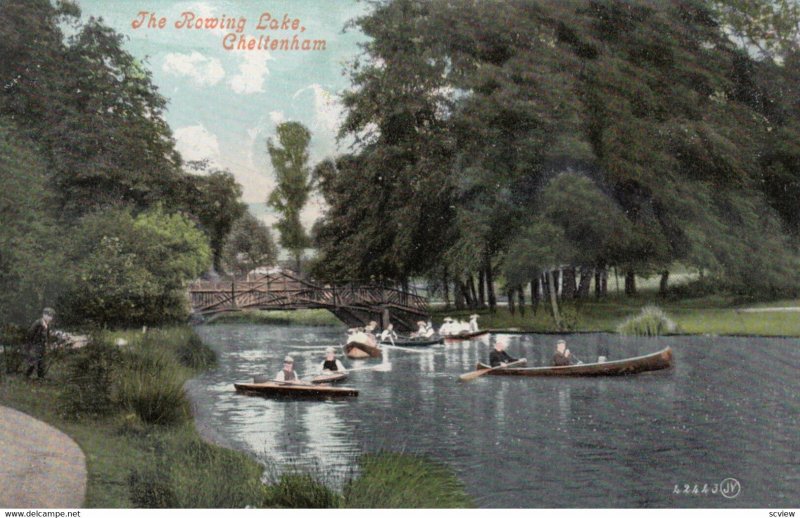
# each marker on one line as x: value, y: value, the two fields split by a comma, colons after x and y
x: 707, y: 315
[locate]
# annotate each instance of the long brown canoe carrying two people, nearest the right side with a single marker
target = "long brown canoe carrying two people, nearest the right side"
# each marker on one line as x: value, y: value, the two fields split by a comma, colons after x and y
x: 650, y: 362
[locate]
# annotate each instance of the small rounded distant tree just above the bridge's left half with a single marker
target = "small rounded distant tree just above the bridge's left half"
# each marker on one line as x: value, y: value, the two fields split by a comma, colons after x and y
x: 248, y: 246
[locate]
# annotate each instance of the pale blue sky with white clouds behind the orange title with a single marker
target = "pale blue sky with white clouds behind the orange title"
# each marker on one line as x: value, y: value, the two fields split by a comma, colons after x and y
x: 225, y: 103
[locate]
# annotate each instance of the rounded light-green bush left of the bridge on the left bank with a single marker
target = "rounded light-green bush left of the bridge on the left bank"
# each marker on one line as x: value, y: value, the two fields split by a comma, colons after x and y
x: 133, y: 270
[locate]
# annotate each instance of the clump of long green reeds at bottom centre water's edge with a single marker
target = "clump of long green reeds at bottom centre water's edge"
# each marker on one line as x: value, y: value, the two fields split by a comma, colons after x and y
x: 395, y: 480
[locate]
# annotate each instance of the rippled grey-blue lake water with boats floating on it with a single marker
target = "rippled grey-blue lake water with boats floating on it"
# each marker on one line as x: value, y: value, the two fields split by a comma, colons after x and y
x: 730, y: 408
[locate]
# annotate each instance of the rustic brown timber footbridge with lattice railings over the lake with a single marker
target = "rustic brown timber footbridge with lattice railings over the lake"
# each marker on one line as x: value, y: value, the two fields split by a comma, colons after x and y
x: 355, y: 305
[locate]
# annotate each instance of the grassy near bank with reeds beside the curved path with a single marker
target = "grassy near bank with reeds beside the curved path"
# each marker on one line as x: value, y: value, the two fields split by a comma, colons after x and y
x: 121, y: 399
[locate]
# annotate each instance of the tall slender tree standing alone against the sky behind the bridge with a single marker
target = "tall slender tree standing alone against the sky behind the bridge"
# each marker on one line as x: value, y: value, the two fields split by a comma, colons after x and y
x: 289, y: 157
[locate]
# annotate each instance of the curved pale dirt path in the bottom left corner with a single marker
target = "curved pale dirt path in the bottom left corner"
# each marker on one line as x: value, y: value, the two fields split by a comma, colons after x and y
x: 40, y: 467
